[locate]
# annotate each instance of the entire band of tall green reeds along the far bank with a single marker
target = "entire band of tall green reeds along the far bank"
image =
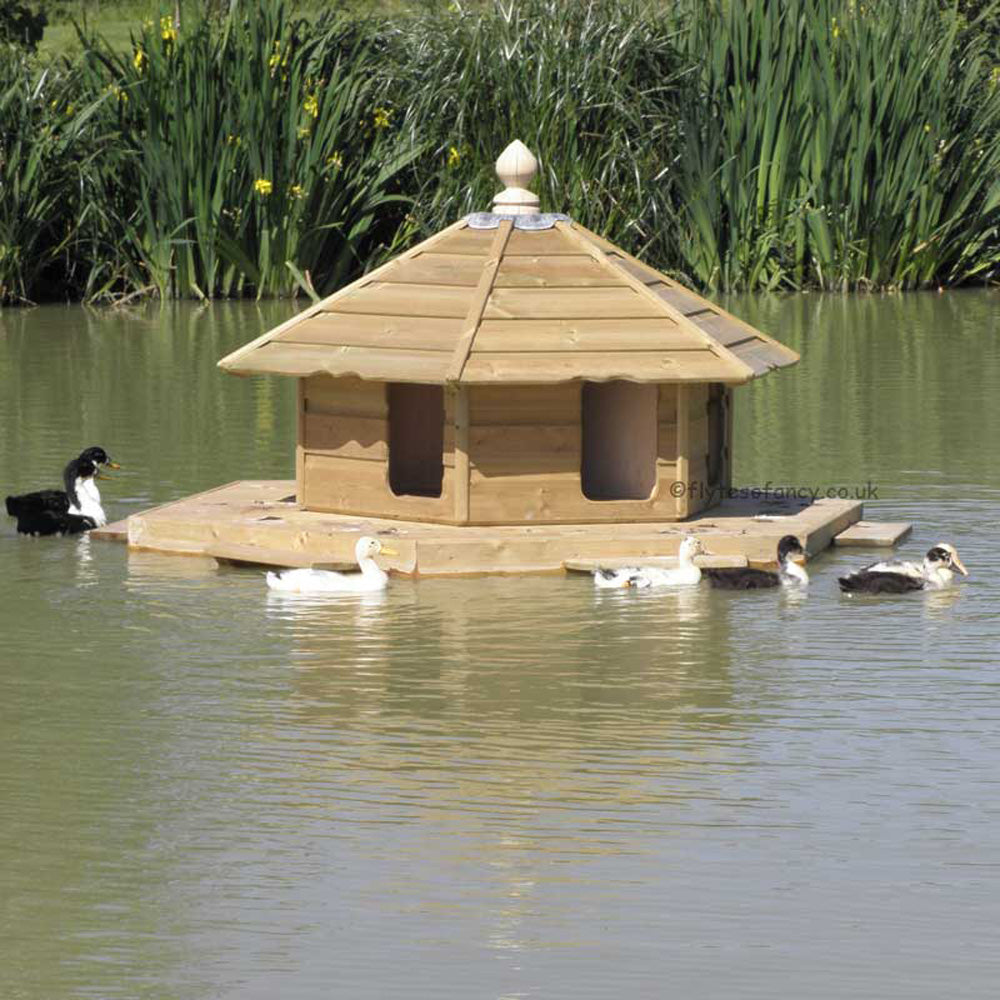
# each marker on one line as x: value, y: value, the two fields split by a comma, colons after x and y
x: 801, y: 144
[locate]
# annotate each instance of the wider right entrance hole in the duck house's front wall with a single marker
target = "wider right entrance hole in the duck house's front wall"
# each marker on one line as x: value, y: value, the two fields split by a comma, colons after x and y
x: 619, y: 440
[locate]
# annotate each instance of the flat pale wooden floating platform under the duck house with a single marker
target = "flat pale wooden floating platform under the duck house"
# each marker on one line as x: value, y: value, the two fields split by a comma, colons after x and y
x: 260, y: 523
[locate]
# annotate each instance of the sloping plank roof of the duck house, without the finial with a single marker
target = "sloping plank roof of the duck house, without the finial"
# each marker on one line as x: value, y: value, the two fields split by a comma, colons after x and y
x: 482, y: 306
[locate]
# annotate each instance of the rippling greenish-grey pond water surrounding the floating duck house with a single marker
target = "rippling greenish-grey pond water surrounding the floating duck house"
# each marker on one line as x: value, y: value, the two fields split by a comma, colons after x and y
x: 499, y: 788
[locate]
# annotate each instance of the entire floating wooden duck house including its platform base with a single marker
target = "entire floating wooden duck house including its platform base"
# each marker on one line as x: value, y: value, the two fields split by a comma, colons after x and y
x: 512, y: 394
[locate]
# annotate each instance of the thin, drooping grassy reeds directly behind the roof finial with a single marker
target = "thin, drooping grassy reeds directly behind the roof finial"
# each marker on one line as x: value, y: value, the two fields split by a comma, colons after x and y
x: 589, y: 86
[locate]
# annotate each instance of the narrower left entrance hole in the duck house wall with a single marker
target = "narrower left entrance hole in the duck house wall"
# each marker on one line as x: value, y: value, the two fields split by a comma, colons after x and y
x: 416, y: 439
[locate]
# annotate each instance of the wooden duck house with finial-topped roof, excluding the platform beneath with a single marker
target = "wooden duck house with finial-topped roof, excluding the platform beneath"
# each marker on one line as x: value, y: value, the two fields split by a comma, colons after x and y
x: 514, y: 369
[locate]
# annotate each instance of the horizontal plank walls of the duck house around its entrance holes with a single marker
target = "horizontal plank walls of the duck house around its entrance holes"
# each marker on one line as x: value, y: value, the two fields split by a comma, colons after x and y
x: 522, y: 461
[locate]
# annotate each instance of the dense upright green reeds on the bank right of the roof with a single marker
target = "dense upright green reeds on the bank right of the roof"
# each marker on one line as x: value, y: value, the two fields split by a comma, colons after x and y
x: 833, y: 144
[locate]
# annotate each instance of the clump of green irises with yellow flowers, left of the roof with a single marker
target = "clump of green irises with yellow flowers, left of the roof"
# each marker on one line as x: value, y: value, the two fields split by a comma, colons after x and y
x: 255, y: 156
